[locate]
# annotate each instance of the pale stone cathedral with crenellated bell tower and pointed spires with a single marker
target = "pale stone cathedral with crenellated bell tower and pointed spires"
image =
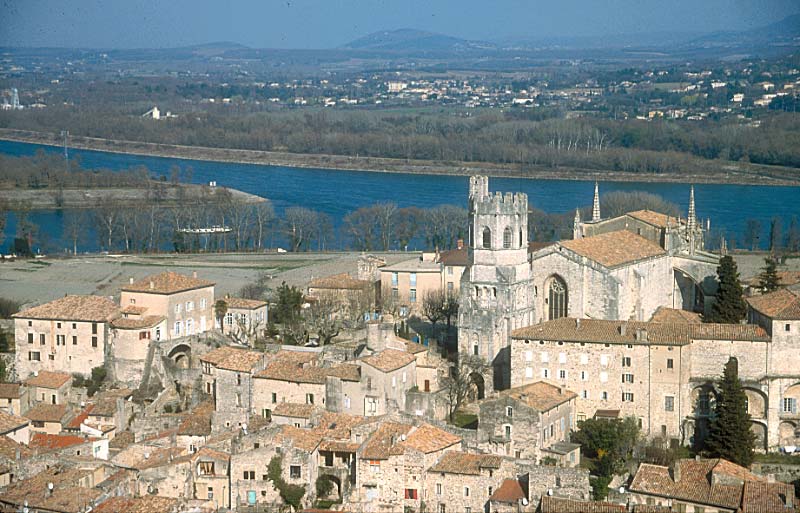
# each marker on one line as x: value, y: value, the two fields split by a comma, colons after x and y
x: 621, y: 268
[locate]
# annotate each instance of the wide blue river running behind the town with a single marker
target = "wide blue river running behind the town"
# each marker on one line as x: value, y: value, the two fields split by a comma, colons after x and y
x: 338, y: 192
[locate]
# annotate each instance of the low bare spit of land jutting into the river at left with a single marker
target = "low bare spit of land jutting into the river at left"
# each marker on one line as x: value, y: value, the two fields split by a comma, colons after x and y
x: 165, y: 195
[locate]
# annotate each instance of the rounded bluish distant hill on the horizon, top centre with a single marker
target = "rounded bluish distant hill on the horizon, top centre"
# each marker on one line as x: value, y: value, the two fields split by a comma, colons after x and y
x: 405, y: 40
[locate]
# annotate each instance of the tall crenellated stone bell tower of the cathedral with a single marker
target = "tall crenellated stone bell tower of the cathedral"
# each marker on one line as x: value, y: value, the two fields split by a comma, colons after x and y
x: 496, y: 288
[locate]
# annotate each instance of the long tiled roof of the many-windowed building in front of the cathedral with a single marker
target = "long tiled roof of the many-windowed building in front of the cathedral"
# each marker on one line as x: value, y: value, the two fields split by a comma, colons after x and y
x: 637, y: 332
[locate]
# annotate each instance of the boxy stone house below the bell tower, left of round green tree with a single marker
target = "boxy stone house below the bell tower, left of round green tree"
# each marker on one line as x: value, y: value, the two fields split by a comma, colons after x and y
x: 525, y: 420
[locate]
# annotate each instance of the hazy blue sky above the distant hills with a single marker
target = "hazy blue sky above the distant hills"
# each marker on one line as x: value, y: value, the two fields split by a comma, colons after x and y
x: 331, y: 23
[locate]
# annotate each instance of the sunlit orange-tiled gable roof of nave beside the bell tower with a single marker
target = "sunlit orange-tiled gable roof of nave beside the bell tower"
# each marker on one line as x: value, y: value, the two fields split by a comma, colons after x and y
x: 614, y: 249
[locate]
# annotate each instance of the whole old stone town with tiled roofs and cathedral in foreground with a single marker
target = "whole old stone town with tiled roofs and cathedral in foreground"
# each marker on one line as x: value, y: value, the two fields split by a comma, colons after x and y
x: 594, y: 374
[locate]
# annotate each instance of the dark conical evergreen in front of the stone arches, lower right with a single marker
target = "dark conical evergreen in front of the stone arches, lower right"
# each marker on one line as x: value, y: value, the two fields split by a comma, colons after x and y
x: 729, y: 434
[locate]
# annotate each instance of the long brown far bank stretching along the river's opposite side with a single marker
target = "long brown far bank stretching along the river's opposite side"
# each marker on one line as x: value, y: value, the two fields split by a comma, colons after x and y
x: 723, y: 172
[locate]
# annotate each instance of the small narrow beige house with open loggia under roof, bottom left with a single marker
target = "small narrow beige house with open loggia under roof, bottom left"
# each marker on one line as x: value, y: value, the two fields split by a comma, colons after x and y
x: 210, y: 476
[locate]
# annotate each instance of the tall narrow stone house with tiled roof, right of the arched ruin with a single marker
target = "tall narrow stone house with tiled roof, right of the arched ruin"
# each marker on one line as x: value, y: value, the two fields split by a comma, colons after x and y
x: 228, y: 377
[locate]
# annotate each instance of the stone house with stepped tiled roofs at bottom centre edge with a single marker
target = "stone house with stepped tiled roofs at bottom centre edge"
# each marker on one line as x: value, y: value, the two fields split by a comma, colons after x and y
x: 393, y: 461
